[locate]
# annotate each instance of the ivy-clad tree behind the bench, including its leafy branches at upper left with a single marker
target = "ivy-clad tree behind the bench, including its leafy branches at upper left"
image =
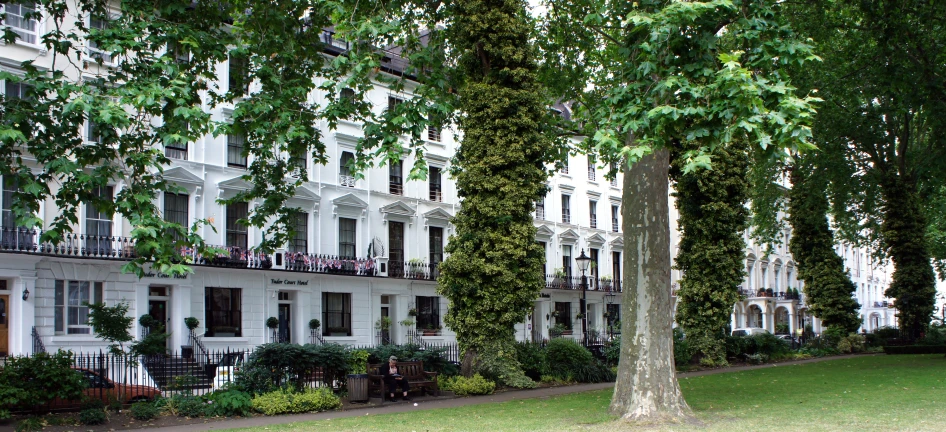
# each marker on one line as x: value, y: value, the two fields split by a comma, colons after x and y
x: 478, y: 69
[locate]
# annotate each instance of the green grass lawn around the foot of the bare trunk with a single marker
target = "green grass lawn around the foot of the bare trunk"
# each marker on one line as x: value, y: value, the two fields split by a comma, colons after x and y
x: 863, y: 393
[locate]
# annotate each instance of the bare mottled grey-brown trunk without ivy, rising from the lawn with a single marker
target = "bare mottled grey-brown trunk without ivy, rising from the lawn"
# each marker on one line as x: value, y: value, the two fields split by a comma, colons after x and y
x: 646, y: 387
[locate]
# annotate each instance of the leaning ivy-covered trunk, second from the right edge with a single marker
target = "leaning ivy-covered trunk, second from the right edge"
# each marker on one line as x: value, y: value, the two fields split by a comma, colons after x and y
x: 828, y: 289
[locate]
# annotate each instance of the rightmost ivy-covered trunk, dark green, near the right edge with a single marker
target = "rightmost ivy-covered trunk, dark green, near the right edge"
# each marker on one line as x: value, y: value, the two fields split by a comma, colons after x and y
x: 904, y: 228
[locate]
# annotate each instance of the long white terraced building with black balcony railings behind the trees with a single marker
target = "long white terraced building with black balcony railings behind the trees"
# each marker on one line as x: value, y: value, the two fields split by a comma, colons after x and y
x: 325, y: 272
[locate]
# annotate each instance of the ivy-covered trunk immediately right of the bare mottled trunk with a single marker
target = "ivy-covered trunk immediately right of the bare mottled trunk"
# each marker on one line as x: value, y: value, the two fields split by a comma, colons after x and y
x: 713, y: 217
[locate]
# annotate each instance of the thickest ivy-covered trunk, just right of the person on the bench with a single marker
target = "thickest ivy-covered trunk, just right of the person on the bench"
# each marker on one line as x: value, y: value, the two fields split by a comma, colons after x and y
x: 493, y: 273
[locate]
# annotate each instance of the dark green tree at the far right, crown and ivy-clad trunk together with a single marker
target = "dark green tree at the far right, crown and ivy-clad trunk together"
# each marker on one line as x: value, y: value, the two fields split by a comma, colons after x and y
x: 882, y: 132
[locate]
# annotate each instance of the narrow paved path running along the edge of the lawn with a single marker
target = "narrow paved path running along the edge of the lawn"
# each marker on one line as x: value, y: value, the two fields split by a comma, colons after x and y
x: 391, y: 408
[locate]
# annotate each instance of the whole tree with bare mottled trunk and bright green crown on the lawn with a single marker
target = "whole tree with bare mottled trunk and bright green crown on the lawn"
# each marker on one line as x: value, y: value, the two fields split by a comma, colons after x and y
x: 650, y: 76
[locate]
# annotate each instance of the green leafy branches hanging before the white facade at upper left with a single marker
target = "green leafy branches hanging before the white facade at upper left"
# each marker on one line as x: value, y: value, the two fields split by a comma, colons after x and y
x: 103, y: 114
